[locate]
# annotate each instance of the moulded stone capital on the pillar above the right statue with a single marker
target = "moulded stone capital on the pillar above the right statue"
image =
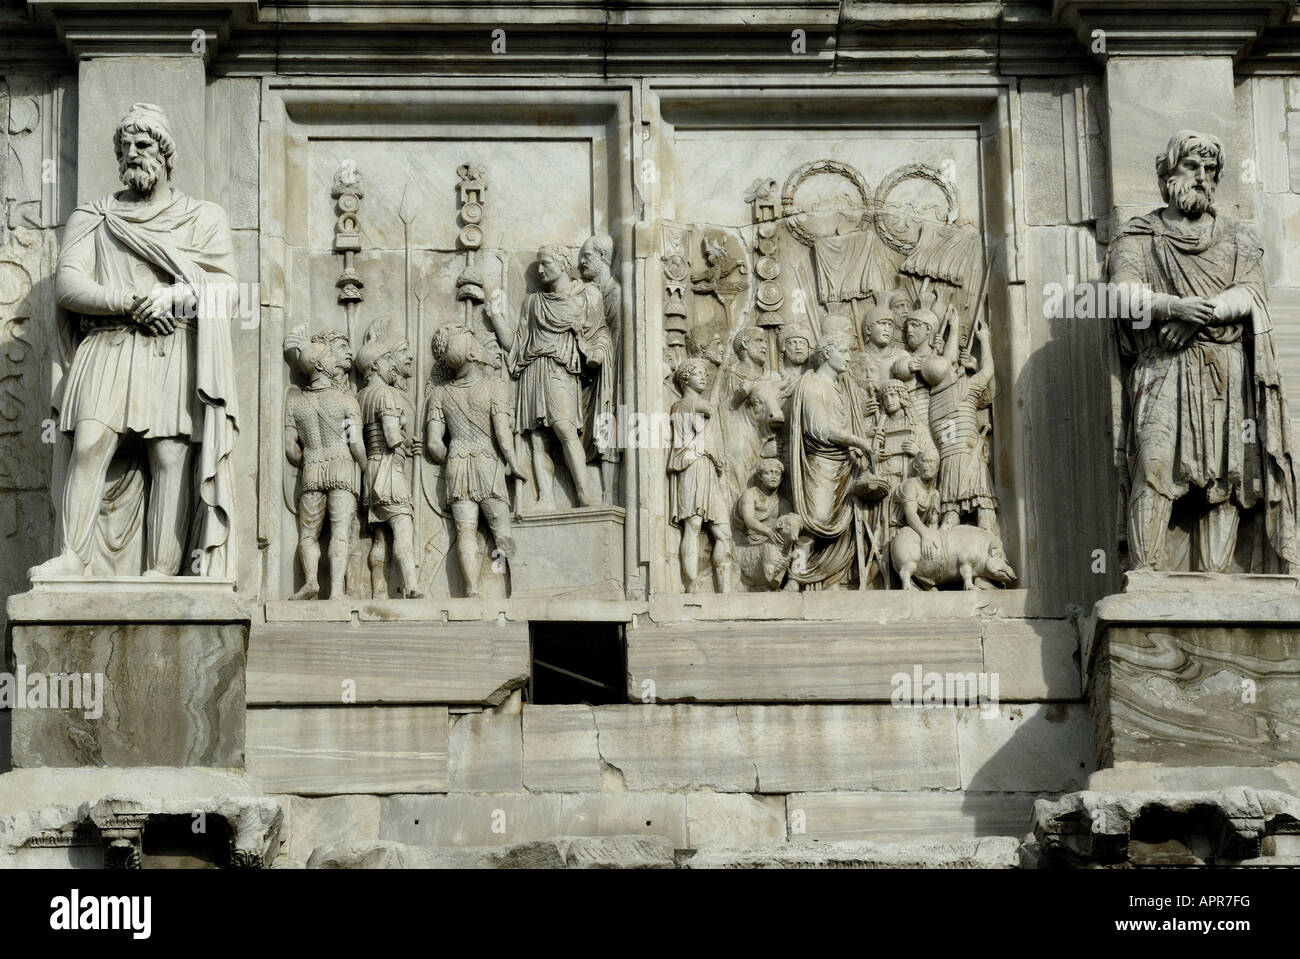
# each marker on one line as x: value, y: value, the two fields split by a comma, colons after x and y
x: 1171, y: 28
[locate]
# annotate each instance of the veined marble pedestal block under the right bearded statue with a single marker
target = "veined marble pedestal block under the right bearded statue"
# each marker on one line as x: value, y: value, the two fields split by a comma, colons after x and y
x: 1197, y: 670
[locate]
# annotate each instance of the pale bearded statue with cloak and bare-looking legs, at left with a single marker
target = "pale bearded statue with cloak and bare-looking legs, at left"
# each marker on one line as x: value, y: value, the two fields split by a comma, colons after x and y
x: 149, y: 276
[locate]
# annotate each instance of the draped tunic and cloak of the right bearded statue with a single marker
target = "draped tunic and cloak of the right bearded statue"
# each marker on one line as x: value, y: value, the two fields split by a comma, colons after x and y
x: 1189, y: 405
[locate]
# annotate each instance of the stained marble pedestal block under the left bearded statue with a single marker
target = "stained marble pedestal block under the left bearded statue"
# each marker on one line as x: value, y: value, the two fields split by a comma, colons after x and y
x: 127, y: 672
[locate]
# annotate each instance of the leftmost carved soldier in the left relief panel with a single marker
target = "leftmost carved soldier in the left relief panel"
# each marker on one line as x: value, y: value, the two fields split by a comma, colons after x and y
x: 323, y: 439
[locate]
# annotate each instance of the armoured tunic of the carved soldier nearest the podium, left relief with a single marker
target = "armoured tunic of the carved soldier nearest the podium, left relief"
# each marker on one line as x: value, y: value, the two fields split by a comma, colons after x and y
x: 475, y: 470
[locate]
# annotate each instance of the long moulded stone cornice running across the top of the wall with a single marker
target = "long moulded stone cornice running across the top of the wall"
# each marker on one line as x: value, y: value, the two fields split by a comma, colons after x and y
x: 648, y: 37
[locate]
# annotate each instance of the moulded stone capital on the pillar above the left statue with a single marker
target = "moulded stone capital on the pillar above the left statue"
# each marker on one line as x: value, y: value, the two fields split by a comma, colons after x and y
x: 175, y: 28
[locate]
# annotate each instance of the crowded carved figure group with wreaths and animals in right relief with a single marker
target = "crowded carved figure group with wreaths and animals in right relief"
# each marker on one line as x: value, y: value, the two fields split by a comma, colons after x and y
x: 831, y: 423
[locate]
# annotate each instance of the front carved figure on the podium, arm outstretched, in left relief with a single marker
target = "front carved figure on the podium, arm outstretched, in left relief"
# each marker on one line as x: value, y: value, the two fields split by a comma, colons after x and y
x: 560, y: 335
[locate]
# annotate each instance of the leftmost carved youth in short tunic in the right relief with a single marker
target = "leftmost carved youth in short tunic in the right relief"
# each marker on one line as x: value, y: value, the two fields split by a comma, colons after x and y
x: 696, y: 467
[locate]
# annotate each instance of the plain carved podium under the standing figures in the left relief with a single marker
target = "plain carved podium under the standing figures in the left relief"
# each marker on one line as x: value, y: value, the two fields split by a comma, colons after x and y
x: 571, y: 553
